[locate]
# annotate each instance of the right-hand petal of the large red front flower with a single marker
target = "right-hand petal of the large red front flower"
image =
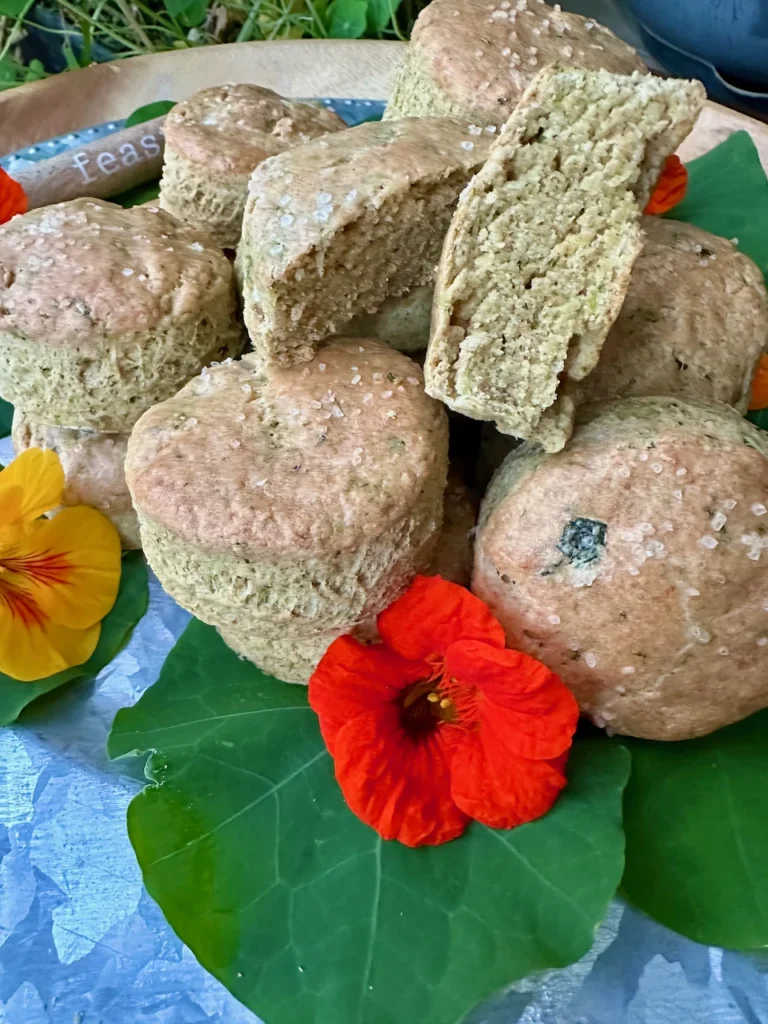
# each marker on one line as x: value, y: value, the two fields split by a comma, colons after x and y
x: 525, y: 700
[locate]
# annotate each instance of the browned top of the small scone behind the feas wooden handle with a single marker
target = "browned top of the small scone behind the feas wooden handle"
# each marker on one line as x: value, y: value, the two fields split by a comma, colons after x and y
x: 232, y: 129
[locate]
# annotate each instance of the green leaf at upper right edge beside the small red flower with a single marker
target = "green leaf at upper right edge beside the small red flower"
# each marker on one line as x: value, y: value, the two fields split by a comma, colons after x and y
x: 729, y: 196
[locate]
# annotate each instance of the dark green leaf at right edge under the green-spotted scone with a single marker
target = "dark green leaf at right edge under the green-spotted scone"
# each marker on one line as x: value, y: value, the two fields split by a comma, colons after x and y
x: 697, y: 824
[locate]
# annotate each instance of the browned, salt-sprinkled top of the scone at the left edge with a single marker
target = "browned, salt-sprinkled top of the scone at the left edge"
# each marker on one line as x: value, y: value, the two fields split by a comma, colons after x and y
x: 87, y: 271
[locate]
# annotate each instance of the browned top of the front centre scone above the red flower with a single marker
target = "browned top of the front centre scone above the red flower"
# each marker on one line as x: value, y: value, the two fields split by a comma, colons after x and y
x: 323, y: 457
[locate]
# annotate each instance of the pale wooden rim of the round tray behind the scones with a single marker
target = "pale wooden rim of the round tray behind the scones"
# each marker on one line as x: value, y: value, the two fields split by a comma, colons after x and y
x: 295, y: 68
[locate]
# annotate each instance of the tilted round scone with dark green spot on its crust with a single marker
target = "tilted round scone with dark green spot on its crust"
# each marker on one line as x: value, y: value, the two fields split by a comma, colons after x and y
x: 633, y: 564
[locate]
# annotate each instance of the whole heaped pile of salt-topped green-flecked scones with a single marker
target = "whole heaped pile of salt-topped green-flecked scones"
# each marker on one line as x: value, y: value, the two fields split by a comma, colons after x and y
x: 495, y: 220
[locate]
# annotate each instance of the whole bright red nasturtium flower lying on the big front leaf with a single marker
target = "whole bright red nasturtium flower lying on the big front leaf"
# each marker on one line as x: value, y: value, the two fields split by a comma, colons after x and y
x: 441, y: 722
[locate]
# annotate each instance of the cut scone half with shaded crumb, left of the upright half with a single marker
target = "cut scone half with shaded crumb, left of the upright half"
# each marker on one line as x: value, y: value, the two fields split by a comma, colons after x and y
x: 336, y: 227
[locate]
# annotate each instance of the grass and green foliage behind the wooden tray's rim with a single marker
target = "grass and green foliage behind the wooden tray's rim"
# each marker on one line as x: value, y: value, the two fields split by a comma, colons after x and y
x: 127, y: 28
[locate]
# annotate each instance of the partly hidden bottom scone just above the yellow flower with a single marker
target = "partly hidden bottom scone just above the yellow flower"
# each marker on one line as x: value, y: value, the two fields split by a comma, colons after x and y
x: 94, y: 470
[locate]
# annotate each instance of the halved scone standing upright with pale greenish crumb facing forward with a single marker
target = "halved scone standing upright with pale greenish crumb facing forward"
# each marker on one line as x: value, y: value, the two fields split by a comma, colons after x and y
x: 539, y: 255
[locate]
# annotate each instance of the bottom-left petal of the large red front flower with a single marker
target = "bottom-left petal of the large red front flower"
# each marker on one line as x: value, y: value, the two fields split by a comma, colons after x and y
x: 400, y: 787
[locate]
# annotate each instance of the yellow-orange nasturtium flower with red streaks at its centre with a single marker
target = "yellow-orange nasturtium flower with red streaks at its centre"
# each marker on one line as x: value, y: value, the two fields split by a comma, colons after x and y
x: 59, y: 578
